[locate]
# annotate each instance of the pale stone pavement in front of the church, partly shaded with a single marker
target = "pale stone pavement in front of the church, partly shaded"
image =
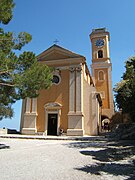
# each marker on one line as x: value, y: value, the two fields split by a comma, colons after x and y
x: 84, y: 159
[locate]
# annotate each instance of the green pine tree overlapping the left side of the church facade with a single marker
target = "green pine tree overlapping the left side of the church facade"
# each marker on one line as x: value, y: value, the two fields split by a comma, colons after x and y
x: 20, y: 76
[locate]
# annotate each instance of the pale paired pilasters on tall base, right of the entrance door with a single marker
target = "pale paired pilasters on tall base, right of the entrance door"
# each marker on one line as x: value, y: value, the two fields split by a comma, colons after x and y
x: 75, y: 119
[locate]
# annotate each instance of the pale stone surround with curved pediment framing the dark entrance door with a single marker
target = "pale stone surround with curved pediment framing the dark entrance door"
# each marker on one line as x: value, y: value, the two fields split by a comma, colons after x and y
x: 52, y: 108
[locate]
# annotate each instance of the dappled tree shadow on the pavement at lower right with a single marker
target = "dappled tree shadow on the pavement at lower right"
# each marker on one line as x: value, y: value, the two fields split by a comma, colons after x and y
x: 108, y: 156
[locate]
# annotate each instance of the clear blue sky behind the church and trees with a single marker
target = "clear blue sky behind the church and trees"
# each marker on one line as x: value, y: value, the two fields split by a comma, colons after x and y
x: 71, y: 22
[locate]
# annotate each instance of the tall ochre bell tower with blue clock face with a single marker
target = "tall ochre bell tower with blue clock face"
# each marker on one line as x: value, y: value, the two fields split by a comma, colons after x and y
x: 102, y: 69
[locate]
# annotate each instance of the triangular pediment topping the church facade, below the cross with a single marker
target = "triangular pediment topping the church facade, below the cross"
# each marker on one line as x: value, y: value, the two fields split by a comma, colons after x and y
x: 56, y: 52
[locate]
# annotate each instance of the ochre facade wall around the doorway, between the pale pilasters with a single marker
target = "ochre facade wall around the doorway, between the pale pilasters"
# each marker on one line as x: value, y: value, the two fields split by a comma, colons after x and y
x: 56, y: 93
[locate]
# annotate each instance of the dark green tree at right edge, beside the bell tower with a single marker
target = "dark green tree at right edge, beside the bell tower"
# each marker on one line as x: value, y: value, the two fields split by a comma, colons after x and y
x: 125, y: 90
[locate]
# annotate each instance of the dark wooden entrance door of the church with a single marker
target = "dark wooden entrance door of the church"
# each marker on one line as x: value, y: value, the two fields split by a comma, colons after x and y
x: 52, y: 124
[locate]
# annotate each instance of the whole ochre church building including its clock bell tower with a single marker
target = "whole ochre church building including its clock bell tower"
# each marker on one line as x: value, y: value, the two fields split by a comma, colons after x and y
x: 77, y: 102
